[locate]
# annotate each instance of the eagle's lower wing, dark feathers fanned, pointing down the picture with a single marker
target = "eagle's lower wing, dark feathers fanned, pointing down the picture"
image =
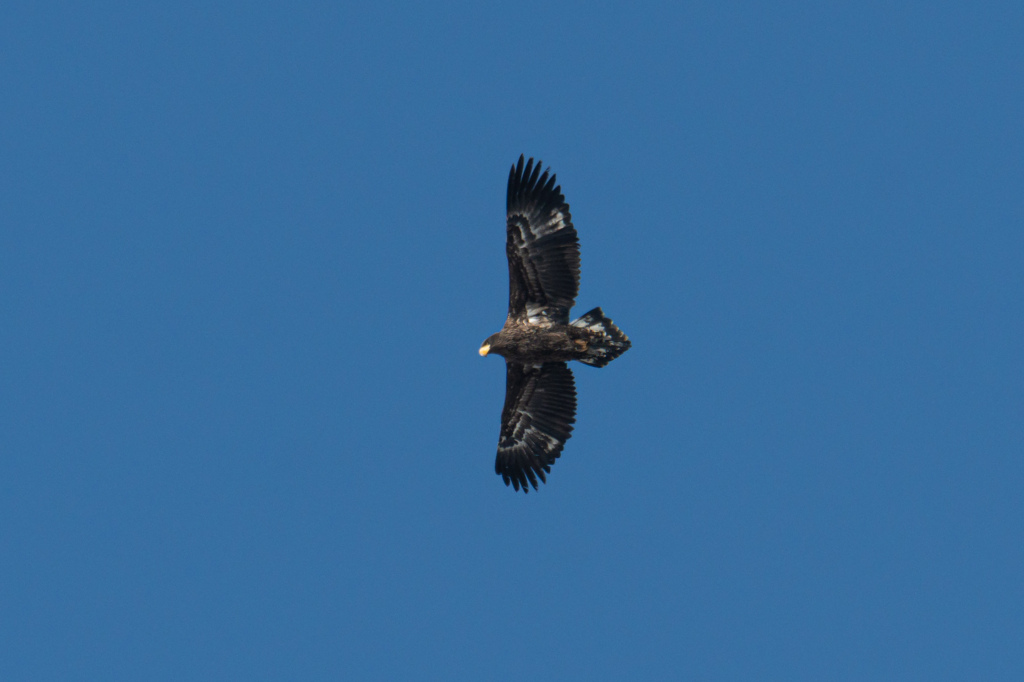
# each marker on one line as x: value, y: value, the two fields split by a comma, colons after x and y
x: 537, y: 420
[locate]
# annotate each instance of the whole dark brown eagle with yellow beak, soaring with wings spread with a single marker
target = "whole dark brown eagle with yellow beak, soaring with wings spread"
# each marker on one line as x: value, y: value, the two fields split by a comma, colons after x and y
x: 538, y: 339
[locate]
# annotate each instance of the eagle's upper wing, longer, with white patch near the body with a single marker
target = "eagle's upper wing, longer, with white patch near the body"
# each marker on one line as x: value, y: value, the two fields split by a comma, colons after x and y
x: 542, y: 246
